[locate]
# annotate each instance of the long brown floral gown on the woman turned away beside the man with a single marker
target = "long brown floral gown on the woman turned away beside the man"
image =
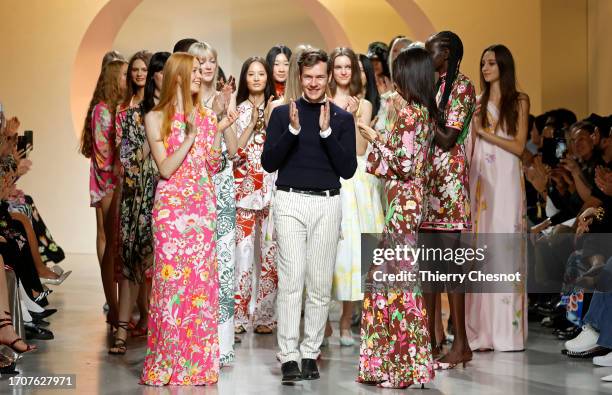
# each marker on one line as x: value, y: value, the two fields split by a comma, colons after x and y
x: 395, y: 343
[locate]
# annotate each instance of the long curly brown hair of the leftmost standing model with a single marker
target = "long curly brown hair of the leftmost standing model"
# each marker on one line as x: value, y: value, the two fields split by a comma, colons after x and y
x: 109, y: 91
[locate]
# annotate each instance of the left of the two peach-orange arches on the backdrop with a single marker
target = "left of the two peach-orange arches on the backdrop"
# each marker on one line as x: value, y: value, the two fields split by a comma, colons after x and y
x: 100, y: 35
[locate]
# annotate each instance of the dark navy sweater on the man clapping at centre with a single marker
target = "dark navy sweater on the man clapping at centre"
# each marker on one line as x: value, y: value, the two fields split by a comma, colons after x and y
x: 308, y: 161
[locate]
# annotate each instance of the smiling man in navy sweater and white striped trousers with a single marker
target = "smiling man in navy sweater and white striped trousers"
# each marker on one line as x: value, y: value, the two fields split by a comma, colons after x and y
x: 311, y: 142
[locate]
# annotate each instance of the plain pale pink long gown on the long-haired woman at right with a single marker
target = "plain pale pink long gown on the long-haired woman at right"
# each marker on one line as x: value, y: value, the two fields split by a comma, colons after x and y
x: 497, y: 193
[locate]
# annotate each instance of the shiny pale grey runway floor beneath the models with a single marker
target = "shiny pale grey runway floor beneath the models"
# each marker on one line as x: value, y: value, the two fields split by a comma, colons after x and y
x: 81, y: 344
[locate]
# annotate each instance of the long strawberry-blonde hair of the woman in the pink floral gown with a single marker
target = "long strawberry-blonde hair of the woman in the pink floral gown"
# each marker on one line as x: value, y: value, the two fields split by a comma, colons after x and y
x: 180, y: 64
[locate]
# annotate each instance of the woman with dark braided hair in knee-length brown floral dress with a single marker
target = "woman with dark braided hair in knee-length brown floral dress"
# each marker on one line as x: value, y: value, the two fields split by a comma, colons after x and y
x: 449, y: 204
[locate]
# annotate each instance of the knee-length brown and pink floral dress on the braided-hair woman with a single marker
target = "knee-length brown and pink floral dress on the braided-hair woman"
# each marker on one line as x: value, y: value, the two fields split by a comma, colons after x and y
x: 449, y: 198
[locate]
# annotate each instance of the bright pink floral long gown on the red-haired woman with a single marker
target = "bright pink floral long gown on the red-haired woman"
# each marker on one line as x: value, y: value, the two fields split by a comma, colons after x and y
x: 182, y: 343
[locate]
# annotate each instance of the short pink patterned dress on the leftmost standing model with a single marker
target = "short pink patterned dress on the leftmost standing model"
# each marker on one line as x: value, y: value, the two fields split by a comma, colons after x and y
x: 102, y: 177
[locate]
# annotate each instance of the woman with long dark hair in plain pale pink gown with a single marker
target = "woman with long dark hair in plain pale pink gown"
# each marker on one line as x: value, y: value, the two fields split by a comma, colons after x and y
x: 497, y: 321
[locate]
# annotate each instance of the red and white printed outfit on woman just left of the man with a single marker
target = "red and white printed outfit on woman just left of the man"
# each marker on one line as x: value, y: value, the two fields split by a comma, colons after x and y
x: 254, y: 187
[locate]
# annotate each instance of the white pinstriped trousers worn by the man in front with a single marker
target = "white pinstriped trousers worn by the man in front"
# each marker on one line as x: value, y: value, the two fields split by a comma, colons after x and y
x: 307, y: 232
